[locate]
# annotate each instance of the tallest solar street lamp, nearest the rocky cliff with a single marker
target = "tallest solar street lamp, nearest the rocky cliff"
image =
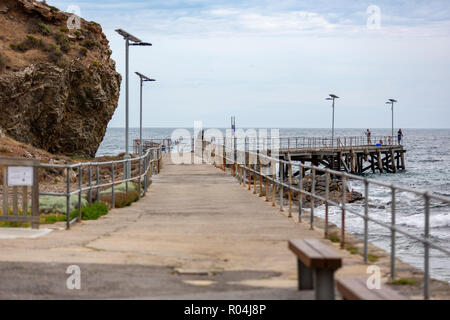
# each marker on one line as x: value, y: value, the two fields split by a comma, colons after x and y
x: 134, y: 42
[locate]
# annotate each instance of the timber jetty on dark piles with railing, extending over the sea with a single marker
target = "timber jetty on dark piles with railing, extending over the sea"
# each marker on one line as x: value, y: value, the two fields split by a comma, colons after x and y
x: 355, y: 155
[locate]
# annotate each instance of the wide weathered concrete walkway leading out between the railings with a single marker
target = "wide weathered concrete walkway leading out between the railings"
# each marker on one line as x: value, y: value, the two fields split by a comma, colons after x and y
x: 197, y: 234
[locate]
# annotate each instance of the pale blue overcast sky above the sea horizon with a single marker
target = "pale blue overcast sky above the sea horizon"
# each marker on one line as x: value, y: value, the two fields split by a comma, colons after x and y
x: 273, y: 63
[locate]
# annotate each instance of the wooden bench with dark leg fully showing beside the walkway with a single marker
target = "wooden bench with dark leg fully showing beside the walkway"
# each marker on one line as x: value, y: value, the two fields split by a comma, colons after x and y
x: 316, y: 264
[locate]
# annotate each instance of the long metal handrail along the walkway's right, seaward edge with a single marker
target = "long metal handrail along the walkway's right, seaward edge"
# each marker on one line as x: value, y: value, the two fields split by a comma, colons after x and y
x: 222, y: 153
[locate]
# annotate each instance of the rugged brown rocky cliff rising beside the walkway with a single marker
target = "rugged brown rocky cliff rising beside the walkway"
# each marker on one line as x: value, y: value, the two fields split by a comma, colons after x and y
x: 58, y: 86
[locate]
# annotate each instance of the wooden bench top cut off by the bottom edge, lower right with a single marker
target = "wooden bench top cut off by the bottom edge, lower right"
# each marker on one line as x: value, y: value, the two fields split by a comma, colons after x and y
x: 356, y: 289
